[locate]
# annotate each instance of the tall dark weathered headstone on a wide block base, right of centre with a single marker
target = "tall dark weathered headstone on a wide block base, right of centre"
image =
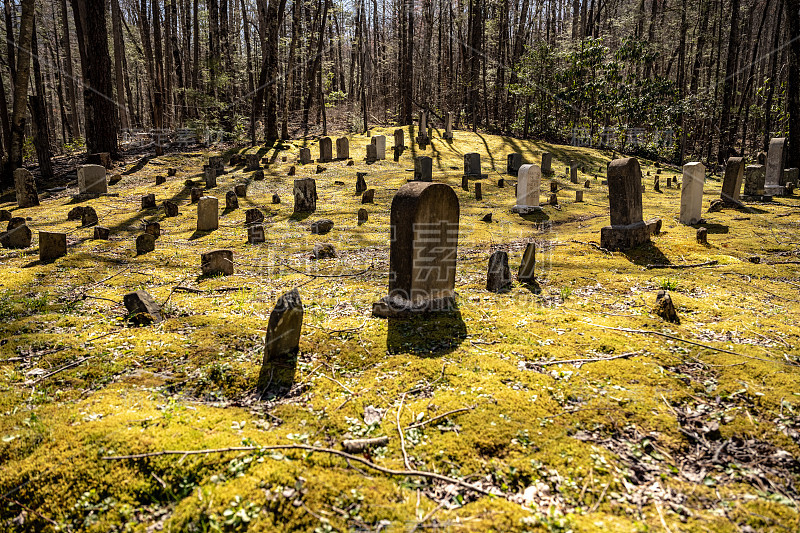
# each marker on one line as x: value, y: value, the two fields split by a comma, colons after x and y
x: 627, y: 229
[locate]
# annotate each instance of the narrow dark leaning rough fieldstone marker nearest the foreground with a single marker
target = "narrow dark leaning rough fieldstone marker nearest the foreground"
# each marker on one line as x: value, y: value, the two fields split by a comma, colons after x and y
x: 281, y: 344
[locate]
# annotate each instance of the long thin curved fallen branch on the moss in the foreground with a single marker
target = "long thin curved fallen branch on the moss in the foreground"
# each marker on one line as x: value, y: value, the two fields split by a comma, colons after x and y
x: 345, y: 455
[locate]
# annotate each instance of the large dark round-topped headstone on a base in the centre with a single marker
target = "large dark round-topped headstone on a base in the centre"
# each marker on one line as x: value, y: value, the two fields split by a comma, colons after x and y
x: 422, y: 257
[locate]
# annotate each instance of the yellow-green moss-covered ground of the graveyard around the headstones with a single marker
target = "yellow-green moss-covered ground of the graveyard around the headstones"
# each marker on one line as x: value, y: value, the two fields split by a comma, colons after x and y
x: 695, y: 430
